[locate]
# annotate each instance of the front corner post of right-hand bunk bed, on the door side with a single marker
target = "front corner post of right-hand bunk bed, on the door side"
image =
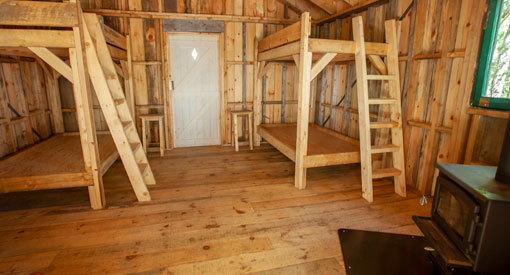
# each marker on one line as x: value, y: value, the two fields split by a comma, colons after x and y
x: 305, y: 66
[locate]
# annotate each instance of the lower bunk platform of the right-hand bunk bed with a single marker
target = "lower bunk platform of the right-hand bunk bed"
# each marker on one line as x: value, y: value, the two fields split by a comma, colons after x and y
x: 325, y: 147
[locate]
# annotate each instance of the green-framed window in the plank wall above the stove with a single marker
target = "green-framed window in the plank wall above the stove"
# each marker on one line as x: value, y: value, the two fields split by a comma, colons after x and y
x: 492, y: 83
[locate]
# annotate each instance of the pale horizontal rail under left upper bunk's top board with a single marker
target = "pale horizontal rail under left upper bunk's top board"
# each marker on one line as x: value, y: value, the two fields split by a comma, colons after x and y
x: 36, y: 38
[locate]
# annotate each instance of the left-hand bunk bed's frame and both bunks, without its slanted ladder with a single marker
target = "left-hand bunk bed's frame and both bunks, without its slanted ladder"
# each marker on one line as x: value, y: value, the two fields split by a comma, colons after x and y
x: 64, y: 160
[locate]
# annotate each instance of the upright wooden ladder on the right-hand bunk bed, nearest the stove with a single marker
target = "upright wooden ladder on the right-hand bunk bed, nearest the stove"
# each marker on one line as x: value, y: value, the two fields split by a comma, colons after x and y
x: 393, y: 101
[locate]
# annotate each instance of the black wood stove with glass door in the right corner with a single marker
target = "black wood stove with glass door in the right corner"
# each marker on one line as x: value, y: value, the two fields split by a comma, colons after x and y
x: 470, y: 224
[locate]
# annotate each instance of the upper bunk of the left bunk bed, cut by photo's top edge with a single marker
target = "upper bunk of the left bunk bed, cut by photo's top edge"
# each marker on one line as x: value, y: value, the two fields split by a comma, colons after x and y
x: 48, y: 25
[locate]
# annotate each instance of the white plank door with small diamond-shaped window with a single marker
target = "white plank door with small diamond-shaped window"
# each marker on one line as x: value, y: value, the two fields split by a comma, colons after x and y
x: 194, y: 68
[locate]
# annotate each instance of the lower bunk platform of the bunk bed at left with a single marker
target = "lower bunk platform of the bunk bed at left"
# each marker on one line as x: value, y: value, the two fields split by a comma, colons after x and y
x: 54, y: 163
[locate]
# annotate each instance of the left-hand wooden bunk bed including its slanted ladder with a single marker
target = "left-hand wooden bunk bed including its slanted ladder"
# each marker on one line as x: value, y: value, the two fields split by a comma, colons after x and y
x: 70, y: 160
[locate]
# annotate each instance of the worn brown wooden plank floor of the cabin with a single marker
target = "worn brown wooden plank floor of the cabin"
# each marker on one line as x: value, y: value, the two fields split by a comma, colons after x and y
x: 214, y: 211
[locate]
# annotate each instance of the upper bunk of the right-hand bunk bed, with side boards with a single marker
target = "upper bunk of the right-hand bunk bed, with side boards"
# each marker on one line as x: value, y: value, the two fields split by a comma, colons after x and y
x: 285, y: 45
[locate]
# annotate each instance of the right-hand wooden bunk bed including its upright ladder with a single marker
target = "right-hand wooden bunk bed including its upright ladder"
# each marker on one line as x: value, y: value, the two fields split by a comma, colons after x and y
x: 310, y: 145
